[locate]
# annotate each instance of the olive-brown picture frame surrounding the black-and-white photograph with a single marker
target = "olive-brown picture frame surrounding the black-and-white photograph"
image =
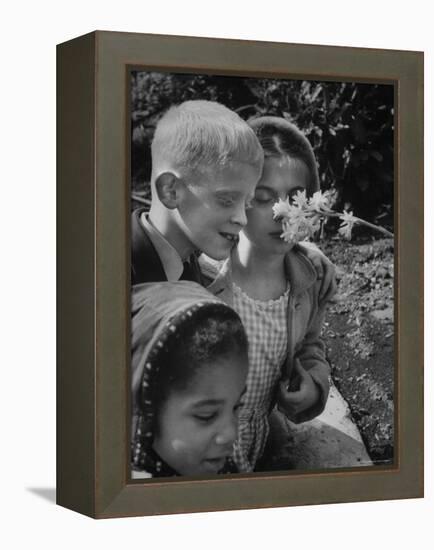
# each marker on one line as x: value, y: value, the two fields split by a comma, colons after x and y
x: 93, y: 382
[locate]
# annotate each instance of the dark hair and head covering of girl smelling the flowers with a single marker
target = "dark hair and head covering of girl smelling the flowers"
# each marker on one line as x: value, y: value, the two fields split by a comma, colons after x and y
x: 280, y: 137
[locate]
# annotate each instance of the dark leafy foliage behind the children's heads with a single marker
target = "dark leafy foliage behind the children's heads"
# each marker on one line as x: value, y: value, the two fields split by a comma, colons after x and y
x: 350, y: 126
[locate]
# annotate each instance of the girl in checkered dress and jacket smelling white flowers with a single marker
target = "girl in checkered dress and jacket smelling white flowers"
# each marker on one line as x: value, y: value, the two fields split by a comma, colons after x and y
x: 272, y: 283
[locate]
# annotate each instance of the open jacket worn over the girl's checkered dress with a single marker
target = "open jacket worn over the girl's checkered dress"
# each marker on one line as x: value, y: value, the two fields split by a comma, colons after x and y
x: 307, y: 302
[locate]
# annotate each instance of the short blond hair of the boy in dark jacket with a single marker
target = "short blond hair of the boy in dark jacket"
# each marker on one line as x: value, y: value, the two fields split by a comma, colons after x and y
x: 198, y: 134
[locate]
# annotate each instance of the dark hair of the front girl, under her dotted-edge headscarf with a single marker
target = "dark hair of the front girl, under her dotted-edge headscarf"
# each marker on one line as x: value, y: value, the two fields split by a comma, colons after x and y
x: 211, y: 332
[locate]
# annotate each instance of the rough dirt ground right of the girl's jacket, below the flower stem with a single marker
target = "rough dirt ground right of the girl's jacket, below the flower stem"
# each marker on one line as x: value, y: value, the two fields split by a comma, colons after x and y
x: 359, y: 334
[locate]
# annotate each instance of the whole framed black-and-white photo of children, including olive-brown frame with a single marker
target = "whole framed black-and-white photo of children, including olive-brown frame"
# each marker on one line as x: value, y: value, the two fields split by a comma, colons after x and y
x: 240, y: 274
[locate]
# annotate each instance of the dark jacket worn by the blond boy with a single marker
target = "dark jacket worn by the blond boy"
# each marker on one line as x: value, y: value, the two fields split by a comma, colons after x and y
x: 146, y: 265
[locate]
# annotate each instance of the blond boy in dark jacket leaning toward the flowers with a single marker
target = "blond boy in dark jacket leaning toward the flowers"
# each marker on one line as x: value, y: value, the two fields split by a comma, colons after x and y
x: 206, y: 162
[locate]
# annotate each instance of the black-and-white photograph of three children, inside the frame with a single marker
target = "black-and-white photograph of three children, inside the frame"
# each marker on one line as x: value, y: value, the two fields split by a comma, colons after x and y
x: 262, y: 274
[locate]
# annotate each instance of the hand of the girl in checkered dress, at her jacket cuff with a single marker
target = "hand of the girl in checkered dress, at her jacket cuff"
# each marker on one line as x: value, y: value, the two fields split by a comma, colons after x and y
x: 305, y: 396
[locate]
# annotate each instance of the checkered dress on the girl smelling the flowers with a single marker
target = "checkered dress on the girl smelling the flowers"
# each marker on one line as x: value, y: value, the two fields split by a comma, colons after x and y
x: 266, y: 325
